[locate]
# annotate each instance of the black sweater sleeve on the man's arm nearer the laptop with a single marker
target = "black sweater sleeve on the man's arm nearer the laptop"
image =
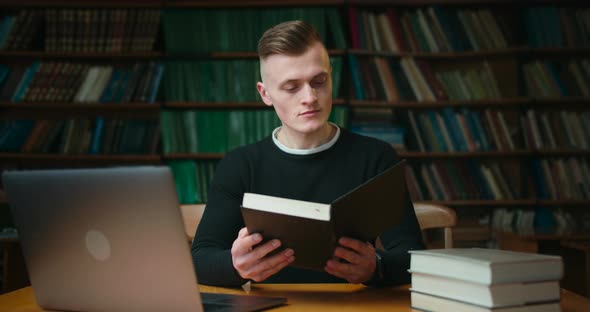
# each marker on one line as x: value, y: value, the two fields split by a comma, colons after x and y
x: 219, y: 226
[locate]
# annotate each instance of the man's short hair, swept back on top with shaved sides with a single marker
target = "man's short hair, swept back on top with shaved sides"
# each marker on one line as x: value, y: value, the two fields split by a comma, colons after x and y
x: 288, y: 38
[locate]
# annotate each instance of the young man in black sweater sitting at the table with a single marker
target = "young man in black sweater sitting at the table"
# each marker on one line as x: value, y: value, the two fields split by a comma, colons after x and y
x: 307, y: 158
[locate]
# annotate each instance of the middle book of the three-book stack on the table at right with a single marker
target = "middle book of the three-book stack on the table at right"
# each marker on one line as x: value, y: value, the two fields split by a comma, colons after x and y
x: 489, y: 296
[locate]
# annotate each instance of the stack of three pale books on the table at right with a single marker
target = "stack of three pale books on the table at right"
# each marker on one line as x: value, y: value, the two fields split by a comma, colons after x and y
x: 476, y: 279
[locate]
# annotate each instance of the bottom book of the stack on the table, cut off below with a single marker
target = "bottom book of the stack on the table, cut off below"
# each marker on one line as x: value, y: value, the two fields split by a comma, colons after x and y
x: 427, y: 302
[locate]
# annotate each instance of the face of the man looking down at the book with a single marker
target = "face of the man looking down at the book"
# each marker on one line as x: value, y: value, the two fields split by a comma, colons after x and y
x: 299, y: 88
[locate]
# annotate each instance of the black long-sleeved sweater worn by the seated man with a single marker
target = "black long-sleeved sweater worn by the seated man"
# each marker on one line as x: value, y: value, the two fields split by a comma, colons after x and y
x: 321, y: 177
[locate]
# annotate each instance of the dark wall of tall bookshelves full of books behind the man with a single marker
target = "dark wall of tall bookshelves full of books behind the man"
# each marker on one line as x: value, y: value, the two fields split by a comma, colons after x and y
x: 487, y: 100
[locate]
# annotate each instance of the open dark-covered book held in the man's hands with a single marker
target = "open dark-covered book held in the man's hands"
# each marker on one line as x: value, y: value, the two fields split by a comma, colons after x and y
x: 312, y: 229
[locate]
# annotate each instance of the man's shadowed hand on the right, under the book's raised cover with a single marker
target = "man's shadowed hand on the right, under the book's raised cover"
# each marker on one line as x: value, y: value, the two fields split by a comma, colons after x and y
x: 359, y: 262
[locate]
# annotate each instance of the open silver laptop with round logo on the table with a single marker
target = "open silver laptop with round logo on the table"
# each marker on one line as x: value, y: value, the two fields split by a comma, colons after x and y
x: 108, y: 240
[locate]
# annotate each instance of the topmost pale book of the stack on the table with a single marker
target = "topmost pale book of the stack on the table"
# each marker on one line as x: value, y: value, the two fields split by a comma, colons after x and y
x: 487, y: 266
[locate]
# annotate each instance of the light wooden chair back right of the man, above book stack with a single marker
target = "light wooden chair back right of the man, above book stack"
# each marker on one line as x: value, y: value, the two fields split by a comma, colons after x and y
x: 437, y: 216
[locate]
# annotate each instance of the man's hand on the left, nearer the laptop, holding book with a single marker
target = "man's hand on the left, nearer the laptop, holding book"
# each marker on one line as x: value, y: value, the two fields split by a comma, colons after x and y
x: 252, y: 261
